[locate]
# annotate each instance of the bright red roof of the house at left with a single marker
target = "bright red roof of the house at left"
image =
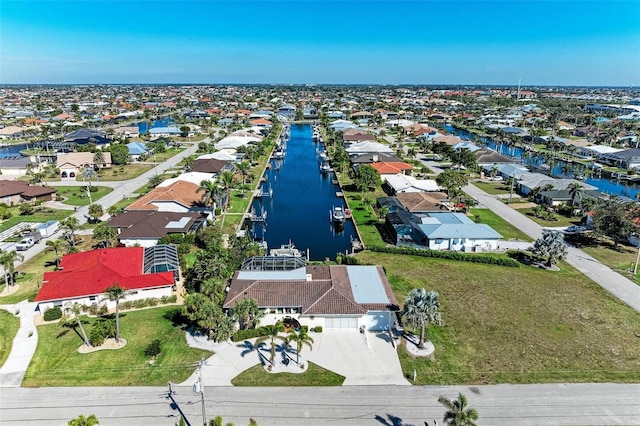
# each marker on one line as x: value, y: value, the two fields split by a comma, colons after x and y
x: 90, y: 273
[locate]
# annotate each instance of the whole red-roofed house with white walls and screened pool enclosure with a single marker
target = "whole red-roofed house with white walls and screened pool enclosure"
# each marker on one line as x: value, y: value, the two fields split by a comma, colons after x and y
x: 84, y: 277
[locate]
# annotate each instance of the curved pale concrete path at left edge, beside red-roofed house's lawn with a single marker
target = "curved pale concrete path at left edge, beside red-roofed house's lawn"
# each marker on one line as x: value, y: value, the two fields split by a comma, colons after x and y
x: 24, y: 345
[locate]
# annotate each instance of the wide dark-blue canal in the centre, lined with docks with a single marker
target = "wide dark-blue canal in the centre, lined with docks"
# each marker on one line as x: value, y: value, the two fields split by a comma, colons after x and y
x: 303, y: 197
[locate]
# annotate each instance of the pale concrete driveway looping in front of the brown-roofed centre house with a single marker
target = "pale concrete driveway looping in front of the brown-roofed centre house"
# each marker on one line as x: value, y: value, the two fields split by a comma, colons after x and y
x: 373, y: 361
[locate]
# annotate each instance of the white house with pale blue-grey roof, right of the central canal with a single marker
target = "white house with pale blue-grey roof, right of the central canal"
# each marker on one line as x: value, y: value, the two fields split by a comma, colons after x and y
x: 440, y: 231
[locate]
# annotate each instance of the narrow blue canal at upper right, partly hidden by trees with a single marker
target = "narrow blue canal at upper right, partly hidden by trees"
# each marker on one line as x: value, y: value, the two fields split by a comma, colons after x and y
x: 559, y: 168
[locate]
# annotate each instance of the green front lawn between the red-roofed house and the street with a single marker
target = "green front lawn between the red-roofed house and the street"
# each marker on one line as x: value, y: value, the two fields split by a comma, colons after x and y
x: 58, y: 363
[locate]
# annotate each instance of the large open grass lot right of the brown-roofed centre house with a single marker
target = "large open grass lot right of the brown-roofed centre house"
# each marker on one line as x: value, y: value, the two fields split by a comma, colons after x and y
x: 517, y: 325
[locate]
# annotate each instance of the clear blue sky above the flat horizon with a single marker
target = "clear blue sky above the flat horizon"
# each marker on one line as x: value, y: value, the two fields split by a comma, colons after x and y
x: 421, y: 42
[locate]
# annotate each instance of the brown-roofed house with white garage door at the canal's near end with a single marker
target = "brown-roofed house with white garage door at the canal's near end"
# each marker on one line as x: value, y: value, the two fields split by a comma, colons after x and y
x: 330, y: 296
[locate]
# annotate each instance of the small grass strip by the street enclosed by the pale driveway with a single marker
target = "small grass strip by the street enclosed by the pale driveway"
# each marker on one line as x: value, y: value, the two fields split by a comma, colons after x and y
x: 314, y: 376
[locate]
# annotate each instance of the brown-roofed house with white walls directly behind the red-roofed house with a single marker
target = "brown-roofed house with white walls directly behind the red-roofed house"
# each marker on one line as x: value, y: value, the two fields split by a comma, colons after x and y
x: 144, y: 228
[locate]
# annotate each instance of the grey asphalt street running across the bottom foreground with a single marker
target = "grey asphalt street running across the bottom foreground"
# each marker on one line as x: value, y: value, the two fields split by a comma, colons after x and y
x: 553, y: 404
